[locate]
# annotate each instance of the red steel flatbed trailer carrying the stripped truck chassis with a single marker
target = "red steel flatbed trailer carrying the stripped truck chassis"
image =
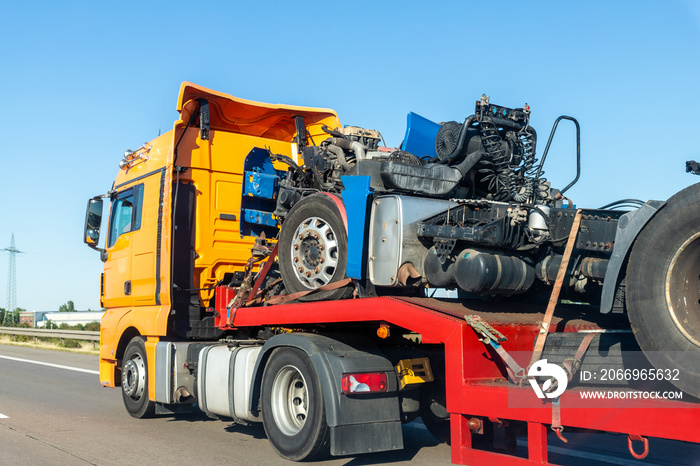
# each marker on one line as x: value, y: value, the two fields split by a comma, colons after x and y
x: 476, y: 385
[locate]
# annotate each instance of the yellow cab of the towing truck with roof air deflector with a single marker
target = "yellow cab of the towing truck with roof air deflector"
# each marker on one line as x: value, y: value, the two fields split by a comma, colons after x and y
x: 174, y: 227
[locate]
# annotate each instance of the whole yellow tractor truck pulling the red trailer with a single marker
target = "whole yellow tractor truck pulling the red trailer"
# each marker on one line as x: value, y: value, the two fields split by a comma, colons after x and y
x: 185, y: 210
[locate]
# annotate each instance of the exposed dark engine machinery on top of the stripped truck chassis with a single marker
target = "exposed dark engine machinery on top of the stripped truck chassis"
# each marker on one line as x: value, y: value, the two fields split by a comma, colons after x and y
x: 491, y: 155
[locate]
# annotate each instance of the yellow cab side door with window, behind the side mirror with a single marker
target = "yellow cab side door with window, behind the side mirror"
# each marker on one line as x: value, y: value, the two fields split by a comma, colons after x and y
x: 124, y: 223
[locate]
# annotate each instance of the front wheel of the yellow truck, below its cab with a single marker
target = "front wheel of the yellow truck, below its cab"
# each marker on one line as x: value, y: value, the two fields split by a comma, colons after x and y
x: 135, y: 380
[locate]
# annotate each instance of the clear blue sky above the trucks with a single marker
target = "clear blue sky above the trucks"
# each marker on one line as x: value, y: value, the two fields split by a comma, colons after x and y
x: 83, y: 81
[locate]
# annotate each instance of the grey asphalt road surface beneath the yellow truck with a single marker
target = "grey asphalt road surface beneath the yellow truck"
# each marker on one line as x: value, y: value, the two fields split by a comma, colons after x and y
x: 59, y: 414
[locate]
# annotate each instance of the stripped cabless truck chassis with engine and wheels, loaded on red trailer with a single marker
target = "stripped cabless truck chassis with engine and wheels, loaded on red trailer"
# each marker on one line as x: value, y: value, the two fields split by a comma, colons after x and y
x: 474, y: 213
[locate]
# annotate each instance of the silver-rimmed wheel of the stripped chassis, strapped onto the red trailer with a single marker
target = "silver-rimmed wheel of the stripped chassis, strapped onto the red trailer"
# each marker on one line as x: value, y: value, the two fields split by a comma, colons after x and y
x: 313, y: 248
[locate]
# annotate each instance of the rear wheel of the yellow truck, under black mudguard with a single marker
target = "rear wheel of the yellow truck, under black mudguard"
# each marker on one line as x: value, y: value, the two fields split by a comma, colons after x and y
x: 293, y: 410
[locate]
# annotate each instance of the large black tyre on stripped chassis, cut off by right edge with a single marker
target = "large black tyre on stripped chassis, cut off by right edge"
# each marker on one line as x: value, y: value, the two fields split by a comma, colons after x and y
x: 663, y: 296
